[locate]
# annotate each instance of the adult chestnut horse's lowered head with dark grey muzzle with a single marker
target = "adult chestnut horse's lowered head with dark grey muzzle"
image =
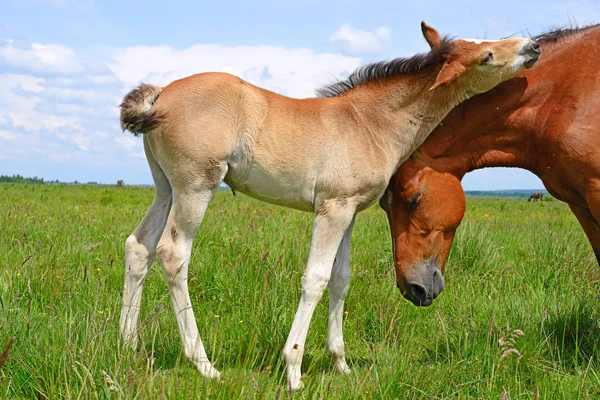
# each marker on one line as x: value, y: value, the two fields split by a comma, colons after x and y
x: 424, y: 208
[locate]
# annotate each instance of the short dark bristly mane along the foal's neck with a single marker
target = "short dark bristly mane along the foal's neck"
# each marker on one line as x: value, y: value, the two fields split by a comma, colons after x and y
x: 387, y: 69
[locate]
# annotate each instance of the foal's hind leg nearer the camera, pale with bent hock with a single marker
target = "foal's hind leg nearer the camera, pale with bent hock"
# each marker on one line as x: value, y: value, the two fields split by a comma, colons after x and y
x: 174, y: 249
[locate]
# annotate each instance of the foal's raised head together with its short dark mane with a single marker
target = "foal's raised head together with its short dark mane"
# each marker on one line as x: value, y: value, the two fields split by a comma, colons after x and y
x: 453, y: 70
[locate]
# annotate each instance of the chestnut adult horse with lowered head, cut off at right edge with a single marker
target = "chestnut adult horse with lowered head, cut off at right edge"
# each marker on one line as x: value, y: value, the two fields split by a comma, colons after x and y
x: 545, y: 120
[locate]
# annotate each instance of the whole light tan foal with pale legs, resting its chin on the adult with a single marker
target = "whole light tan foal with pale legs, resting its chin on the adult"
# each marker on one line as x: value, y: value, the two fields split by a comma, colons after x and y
x: 332, y: 156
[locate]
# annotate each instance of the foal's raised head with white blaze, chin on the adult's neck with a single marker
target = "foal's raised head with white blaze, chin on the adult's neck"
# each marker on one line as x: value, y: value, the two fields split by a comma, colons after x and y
x: 475, y: 66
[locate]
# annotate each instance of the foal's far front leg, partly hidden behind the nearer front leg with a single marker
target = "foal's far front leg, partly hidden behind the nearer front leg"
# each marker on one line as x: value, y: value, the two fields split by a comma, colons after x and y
x: 338, y: 288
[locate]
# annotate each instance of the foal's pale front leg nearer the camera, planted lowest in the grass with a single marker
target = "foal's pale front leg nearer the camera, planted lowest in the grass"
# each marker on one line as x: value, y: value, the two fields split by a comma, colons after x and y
x: 330, y: 224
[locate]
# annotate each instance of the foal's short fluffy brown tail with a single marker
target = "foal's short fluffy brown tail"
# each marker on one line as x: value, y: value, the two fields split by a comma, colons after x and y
x: 137, y: 115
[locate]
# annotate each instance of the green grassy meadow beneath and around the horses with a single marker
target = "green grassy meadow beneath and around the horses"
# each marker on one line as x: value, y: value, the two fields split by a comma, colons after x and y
x: 515, y: 266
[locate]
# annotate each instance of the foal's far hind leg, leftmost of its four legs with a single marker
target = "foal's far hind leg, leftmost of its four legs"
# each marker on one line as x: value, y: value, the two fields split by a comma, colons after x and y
x: 139, y: 251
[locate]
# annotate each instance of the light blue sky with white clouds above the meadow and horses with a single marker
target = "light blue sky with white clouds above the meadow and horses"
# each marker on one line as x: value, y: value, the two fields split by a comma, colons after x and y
x: 66, y: 64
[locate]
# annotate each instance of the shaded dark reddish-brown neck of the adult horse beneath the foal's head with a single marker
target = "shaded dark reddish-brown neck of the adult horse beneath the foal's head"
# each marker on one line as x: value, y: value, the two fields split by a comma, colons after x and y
x: 485, y: 131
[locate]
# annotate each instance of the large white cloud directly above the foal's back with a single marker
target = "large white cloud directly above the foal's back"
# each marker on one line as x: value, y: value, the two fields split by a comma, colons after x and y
x: 295, y: 72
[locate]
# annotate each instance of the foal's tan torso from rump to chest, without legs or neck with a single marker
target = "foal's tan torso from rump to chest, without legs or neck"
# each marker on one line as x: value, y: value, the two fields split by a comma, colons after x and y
x: 277, y: 149
